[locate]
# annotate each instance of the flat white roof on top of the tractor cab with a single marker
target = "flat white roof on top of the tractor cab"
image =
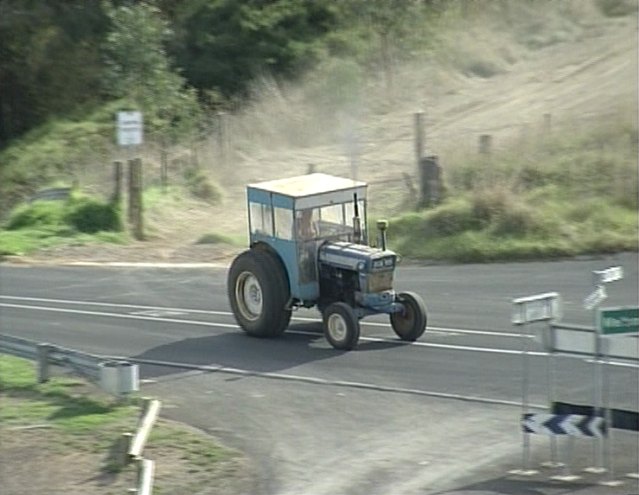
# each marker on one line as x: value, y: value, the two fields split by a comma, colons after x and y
x: 308, y: 185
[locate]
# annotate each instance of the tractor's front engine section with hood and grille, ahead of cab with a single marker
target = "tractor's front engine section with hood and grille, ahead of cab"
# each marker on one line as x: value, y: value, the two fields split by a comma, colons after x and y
x: 357, y: 274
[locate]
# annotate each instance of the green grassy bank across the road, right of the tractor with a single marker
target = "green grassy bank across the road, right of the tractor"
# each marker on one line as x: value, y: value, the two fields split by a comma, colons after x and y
x: 568, y: 195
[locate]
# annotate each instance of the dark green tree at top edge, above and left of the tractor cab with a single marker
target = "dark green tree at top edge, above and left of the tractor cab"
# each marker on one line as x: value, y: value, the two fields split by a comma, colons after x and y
x: 224, y: 44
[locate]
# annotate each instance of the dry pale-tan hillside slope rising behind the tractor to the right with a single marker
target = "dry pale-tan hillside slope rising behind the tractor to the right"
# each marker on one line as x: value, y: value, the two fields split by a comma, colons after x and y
x: 579, y: 72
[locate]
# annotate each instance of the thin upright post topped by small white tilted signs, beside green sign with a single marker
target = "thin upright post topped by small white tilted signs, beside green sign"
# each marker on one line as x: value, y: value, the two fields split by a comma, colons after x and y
x: 591, y: 303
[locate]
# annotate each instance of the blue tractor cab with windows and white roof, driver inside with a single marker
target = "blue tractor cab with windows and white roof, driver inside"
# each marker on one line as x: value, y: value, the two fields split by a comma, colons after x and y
x: 296, y: 215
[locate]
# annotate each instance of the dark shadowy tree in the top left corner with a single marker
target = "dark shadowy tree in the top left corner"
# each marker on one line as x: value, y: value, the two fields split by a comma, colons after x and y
x: 49, y: 60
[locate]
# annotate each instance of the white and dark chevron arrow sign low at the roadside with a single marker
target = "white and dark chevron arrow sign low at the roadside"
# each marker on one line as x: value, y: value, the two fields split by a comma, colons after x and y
x: 564, y: 424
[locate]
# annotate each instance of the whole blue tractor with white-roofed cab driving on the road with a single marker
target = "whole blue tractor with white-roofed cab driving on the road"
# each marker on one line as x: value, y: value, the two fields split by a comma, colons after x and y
x: 309, y: 247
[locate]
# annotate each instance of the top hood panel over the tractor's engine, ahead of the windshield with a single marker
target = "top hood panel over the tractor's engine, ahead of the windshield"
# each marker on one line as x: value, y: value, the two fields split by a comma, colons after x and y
x: 357, y: 257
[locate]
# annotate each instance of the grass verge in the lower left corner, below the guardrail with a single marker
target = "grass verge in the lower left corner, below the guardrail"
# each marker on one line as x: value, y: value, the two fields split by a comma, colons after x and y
x: 68, y: 420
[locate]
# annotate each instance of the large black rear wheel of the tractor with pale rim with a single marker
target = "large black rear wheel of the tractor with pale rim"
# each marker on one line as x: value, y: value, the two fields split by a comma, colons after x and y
x: 258, y: 291
